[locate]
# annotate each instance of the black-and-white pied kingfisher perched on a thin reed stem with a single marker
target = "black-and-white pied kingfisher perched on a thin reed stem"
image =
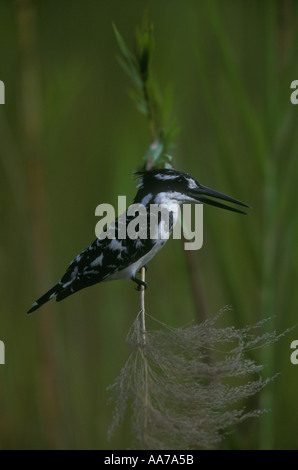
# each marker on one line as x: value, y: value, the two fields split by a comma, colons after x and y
x: 122, y: 258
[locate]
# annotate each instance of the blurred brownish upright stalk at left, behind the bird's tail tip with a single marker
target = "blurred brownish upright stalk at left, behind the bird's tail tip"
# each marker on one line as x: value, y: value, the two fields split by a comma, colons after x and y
x: 31, y: 122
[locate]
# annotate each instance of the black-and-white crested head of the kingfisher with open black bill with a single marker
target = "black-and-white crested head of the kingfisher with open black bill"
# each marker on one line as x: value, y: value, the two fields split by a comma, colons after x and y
x: 169, y: 186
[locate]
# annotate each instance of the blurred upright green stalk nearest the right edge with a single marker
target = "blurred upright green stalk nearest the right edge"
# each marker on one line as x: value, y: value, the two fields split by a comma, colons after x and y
x: 268, y: 300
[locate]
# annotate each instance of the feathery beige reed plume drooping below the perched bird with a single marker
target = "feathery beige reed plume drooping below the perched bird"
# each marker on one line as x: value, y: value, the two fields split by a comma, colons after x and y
x: 179, y: 400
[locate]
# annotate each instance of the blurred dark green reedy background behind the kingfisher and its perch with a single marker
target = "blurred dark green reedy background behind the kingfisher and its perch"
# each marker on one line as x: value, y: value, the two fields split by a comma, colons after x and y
x: 70, y: 138
